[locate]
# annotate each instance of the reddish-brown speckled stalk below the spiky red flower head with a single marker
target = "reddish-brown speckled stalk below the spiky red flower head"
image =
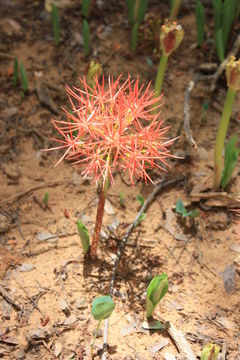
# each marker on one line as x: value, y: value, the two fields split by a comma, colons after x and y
x: 98, y: 223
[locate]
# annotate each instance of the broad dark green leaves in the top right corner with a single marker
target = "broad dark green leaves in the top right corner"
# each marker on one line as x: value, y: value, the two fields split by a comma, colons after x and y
x: 224, y: 14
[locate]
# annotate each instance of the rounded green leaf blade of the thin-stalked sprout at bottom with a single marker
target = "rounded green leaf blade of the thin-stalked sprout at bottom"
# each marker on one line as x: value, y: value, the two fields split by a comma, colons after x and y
x: 102, y: 307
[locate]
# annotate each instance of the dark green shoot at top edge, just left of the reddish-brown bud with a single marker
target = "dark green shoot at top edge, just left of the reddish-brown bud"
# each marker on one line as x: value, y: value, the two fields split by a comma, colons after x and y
x: 136, y: 12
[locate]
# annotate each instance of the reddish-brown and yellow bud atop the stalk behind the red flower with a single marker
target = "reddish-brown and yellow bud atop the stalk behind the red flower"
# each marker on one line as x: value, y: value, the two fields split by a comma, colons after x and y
x: 170, y: 37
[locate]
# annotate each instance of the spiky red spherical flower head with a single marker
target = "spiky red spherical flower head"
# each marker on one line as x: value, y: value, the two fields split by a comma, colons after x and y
x: 113, y: 126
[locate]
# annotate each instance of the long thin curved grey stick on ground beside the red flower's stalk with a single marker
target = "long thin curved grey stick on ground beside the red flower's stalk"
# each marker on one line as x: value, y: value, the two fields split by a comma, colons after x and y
x: 162, y: 185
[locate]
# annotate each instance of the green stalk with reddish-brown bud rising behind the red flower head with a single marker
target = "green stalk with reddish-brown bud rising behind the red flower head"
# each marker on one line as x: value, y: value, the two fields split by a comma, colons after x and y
x: 170, y: 37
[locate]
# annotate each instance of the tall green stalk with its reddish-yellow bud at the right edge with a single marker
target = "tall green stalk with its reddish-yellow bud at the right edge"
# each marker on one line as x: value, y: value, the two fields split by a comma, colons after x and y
x: 233, y: 82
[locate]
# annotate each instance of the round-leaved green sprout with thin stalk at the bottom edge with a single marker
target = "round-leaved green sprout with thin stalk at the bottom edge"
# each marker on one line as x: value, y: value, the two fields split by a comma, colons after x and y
x: 102, y: 308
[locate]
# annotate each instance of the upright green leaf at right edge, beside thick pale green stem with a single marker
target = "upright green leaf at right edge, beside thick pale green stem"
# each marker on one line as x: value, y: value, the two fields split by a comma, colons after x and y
x: 230, y: 160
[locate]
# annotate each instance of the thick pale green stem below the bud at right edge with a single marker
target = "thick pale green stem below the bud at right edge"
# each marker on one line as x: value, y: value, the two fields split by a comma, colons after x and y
x: 221, y: 135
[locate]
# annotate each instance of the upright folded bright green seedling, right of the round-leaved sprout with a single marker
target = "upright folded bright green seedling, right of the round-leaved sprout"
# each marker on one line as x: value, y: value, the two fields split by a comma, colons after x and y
x: 155, y: 292
